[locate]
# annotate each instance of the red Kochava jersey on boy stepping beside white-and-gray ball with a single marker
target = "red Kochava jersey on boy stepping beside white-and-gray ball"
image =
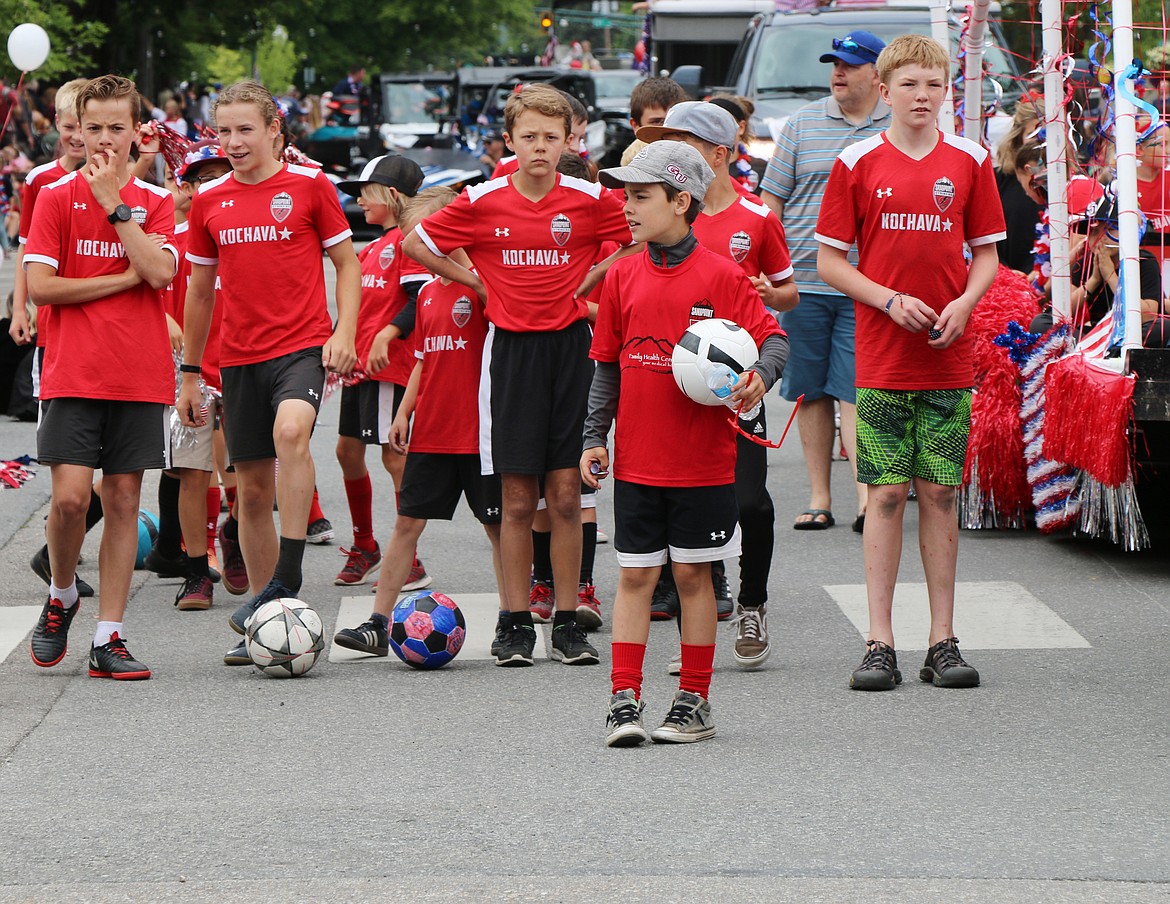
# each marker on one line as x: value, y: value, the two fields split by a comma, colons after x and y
x: 267, y: 241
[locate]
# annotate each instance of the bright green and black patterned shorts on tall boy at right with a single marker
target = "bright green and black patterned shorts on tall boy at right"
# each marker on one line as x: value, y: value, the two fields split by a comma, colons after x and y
x: 913, y: 433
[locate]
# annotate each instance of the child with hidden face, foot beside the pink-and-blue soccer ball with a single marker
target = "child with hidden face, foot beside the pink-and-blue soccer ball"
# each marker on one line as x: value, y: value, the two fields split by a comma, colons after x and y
x: 444, y: 458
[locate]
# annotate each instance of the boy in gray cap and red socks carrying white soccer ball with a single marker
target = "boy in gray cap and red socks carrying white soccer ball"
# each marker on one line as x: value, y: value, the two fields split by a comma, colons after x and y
x: 675, y: 460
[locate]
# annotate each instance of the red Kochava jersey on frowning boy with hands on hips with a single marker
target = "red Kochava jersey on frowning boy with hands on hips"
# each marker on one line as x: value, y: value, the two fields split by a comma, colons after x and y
x: 532, y: 256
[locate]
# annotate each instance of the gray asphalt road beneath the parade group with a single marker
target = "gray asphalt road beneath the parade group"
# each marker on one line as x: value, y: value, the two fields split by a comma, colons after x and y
x: 369, y: 782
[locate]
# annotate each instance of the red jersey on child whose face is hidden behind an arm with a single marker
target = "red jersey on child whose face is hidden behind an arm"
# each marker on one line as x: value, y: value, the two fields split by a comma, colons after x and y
x: 450, y: 329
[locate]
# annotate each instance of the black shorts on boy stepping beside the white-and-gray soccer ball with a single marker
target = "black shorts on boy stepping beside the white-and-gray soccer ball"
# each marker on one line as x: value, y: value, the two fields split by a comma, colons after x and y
x: 252, y: 394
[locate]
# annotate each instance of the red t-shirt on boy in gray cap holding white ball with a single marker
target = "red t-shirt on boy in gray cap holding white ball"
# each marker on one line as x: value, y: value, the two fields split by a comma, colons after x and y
x: 664, y: 439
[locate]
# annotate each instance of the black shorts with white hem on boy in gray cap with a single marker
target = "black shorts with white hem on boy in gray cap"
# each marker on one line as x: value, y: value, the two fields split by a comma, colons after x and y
x: 693, y: 525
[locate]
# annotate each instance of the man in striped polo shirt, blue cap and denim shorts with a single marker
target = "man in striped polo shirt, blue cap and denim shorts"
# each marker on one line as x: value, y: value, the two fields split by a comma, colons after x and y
x: 821, y: 327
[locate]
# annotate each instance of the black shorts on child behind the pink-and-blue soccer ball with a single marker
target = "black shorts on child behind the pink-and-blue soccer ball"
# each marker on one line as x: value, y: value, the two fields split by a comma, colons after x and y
x: 433, y: 482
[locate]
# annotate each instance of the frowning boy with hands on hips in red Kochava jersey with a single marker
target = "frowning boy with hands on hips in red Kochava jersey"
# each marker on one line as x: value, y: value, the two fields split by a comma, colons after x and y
x: 532, y: 237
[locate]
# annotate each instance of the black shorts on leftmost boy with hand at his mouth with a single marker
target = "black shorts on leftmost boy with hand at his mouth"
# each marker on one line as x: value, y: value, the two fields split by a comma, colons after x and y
x: 118, y: 437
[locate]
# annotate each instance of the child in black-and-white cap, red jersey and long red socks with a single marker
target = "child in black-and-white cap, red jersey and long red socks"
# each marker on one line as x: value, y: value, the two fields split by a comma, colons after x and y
x: 388, y: 310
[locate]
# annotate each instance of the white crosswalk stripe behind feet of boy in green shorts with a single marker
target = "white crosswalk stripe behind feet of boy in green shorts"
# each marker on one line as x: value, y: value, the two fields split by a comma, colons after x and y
x: 989, y: 616
